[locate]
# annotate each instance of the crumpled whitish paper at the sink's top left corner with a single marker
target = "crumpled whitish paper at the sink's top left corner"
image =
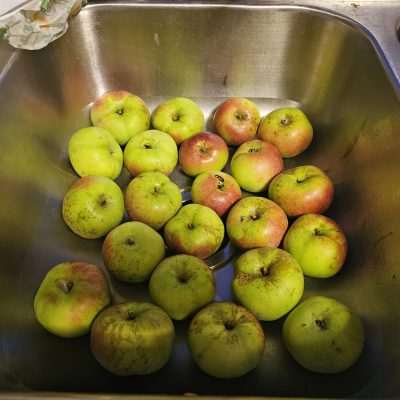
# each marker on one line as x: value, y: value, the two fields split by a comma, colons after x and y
x: 38, y: 22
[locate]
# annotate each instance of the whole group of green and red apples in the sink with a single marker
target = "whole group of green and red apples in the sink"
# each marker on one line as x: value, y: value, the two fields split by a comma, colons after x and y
x: 167, y: 243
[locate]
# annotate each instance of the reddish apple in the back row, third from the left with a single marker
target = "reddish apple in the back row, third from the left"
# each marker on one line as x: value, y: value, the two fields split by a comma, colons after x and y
x: 236, y: 120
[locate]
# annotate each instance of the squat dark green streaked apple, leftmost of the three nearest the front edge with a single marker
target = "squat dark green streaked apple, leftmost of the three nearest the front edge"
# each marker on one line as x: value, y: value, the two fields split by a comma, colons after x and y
x: 132, y: 338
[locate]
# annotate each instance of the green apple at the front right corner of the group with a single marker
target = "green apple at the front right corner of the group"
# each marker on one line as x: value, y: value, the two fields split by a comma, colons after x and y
x: 323, y: 335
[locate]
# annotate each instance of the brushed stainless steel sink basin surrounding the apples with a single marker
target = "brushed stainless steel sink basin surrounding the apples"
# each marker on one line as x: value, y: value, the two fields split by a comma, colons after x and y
x: 343, y: 74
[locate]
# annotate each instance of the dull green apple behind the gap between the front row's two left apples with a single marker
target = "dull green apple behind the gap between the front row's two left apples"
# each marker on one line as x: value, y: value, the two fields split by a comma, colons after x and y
x: 181, y: 285
